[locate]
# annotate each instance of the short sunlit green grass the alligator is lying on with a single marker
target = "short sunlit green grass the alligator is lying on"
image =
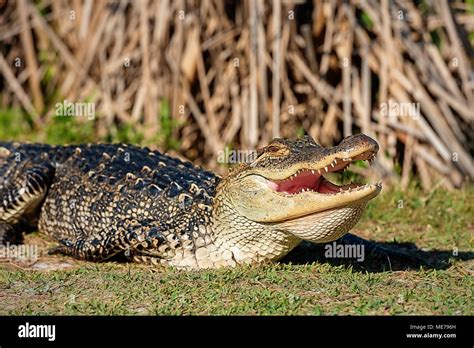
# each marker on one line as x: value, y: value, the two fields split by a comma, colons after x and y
x: 305, y: 283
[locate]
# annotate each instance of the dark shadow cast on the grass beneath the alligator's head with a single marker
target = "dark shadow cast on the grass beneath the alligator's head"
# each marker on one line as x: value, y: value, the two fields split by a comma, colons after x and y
x: 378, y: 256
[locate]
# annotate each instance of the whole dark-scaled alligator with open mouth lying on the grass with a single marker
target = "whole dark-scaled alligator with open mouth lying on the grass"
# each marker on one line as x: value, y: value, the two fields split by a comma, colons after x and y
x: 98, y: 201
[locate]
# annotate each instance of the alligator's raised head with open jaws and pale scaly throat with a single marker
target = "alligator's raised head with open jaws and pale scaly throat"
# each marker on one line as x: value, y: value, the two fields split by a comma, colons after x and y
x: 283, y: 197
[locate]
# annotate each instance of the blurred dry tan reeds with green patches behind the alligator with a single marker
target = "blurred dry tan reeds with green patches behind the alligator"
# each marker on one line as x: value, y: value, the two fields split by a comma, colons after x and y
x: 192, y: 77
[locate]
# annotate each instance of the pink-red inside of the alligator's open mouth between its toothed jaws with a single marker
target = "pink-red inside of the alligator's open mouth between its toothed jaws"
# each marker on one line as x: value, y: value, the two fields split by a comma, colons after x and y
x: 313, y: 180
